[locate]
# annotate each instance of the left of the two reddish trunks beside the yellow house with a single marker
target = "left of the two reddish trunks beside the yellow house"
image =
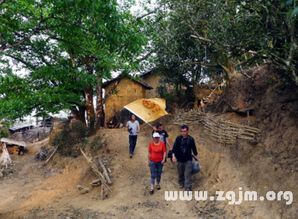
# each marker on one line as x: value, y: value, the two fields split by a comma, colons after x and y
x: 90, y: 109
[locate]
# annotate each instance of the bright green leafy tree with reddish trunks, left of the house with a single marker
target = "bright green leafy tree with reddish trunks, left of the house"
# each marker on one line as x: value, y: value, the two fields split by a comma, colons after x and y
x: 67, y: 49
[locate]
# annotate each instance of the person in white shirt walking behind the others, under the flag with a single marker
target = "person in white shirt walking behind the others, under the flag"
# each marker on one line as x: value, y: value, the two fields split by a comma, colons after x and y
x: 133, y: 128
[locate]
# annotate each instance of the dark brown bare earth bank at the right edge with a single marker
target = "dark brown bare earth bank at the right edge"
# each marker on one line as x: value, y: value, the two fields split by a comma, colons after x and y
x: 274, y: 105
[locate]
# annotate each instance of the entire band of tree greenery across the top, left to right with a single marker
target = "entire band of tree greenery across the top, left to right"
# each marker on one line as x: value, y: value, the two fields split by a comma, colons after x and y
x: 65, y: 48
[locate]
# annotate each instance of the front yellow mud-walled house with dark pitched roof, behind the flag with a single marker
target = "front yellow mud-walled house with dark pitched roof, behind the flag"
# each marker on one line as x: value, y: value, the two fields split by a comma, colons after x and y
x: 120, y: 91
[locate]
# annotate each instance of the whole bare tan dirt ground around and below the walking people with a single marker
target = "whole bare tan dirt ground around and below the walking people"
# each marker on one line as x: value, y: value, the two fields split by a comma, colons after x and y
x: 34, y: 191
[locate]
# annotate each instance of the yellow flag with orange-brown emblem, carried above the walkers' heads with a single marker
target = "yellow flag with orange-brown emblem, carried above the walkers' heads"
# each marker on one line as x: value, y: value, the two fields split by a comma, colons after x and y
x: 148, y: 109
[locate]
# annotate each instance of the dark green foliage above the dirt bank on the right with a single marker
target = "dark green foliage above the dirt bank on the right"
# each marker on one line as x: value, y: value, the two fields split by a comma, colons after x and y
x: 199, y: 39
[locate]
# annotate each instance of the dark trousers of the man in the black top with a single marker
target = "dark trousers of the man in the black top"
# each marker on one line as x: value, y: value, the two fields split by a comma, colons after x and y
x: 184, y: 174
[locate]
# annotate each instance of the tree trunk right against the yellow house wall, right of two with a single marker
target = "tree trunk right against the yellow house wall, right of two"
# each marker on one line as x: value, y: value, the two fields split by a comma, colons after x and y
x: 100, y: 117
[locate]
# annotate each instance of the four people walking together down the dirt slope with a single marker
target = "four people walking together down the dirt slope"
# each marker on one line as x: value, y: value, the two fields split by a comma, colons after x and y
x: 182, y: 152
